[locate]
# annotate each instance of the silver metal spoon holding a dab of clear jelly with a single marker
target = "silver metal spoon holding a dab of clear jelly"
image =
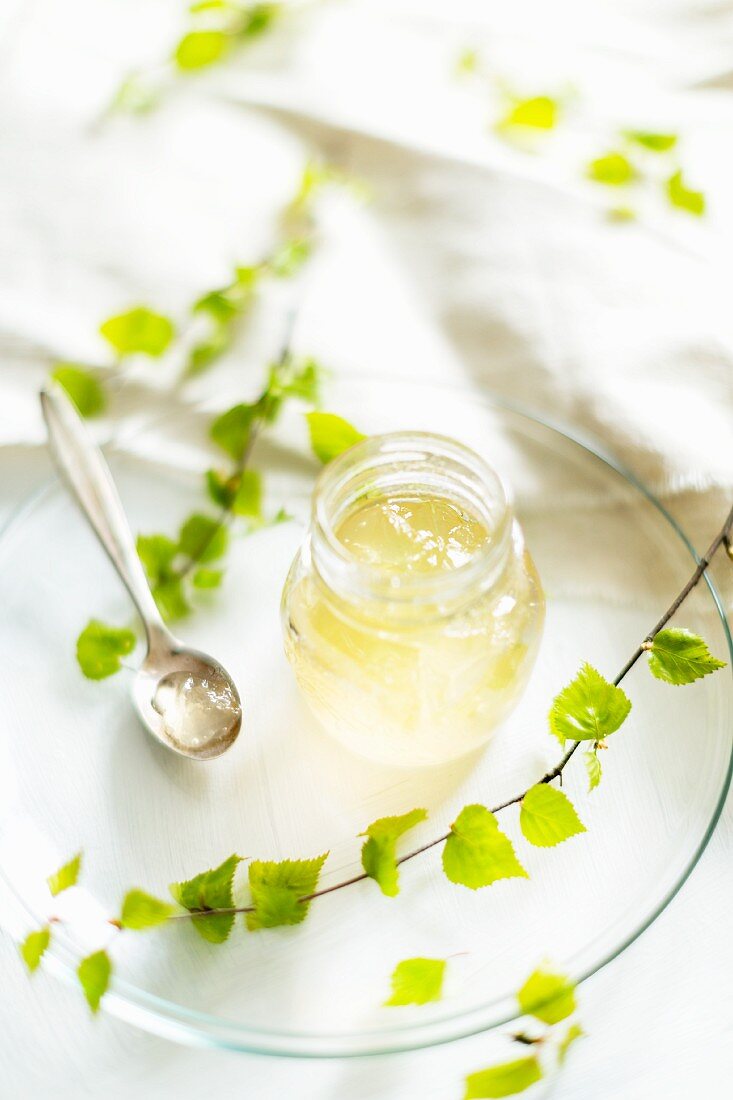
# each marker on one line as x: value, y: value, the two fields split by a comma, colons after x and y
x: 176, y: 686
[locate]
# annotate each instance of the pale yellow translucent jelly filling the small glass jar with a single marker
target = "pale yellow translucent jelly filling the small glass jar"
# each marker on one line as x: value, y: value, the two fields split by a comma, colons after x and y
x: 430, y: 686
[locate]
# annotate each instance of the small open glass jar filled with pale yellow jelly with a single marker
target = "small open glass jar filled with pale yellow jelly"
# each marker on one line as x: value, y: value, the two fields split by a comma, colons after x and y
x: 412, y: 613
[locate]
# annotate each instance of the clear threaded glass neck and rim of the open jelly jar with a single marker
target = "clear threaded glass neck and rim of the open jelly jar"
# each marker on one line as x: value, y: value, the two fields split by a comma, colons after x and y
x: 404, y: 465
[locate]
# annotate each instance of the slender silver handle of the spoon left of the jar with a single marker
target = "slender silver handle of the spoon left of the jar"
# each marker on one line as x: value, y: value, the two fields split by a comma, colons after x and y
x: 85, y: 471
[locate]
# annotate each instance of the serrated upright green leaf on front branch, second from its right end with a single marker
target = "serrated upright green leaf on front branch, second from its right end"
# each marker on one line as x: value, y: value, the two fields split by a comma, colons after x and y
x: 589, y: 709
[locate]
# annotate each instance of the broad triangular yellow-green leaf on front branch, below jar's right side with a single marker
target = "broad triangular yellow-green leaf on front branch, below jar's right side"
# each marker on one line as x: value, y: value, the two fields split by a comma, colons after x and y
x: 477, y: 853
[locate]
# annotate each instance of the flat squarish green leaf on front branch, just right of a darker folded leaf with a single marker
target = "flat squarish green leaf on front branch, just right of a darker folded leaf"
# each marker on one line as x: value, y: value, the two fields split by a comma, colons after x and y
x: 277, y: 889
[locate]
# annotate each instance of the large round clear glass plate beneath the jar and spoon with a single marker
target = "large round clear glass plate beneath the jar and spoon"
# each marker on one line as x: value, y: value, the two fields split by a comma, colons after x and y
x: 78, y: 771
